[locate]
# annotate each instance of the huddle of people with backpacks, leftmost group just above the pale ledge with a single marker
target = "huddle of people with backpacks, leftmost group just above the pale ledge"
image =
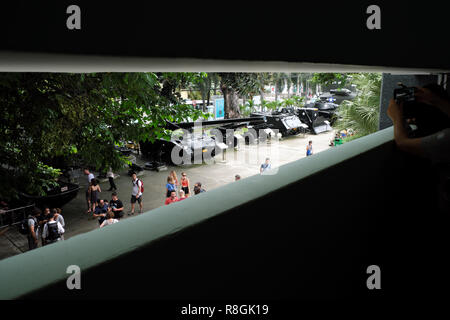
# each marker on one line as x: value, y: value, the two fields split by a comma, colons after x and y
x: 47, y: 225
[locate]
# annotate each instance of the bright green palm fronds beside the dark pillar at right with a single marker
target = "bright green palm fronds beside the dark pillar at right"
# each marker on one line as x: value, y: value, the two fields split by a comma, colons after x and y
x: 362, y: 114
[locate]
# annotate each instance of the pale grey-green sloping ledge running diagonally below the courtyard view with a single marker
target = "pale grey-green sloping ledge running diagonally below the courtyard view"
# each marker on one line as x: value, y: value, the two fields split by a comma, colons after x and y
x: 19, y: 276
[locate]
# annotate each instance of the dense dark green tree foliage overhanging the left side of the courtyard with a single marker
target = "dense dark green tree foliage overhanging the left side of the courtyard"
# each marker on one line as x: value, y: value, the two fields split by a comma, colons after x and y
x: 51, y: 116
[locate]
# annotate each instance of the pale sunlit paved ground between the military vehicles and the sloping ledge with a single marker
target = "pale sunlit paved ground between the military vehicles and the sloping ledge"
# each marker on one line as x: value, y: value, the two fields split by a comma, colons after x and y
x: 245, y: 162
